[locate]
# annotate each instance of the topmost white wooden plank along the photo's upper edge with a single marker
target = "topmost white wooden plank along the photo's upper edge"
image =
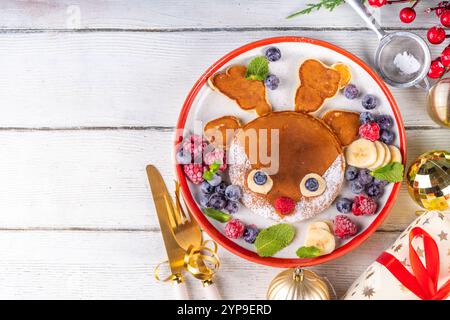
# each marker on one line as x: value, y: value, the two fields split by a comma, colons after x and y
x: 178, y: 14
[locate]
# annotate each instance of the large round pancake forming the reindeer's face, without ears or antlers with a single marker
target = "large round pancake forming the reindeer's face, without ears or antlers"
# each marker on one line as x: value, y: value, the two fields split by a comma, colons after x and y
x: 306, y: 147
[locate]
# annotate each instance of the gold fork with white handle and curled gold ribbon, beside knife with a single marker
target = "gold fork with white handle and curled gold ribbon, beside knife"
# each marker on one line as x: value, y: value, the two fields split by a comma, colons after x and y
x: 188, y: 235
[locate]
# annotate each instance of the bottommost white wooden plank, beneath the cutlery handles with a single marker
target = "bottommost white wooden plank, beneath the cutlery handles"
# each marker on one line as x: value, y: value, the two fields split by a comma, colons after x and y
x: 119, y: 265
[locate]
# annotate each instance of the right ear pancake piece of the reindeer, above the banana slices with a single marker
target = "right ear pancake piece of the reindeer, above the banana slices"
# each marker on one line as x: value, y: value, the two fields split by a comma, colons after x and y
x: 345, y: 124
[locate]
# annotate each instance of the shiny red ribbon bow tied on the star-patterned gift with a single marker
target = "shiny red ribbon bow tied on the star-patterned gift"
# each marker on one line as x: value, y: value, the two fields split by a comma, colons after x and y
x: 423, y: 281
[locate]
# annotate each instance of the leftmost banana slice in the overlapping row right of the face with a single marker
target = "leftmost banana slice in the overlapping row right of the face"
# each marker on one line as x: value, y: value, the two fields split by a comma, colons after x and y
x: 361, y: 153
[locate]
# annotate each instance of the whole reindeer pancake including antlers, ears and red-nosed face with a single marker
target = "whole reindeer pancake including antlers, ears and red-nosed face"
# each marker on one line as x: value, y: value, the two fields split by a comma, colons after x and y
x: 289, y: 156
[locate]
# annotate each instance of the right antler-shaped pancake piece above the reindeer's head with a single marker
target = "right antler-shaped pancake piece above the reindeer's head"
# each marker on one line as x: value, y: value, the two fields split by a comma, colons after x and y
x: 317, y: 83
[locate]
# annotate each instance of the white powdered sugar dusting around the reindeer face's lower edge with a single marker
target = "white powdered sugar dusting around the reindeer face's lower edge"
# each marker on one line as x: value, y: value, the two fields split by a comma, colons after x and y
x: 306, y: 208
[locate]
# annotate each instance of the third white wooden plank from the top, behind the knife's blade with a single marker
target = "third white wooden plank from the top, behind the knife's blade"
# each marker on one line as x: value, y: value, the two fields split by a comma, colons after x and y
x: 95, y: 179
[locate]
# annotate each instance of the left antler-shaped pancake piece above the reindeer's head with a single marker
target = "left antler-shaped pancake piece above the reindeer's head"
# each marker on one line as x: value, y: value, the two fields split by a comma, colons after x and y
x: 248, y: 94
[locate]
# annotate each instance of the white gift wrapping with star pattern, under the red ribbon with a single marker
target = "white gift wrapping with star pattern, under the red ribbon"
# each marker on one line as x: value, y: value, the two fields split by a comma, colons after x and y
x: 378, y: 283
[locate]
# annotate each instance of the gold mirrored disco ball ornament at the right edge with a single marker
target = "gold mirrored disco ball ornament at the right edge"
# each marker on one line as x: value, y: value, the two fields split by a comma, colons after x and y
x: 428, y: 180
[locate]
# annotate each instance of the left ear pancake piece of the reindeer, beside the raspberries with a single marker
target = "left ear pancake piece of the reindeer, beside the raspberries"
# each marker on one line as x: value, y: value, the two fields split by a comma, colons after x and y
x: 220, y: 131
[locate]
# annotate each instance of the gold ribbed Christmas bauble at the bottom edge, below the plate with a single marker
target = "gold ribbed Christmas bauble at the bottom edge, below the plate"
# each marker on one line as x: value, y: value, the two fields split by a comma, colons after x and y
x: 298, y: 284
